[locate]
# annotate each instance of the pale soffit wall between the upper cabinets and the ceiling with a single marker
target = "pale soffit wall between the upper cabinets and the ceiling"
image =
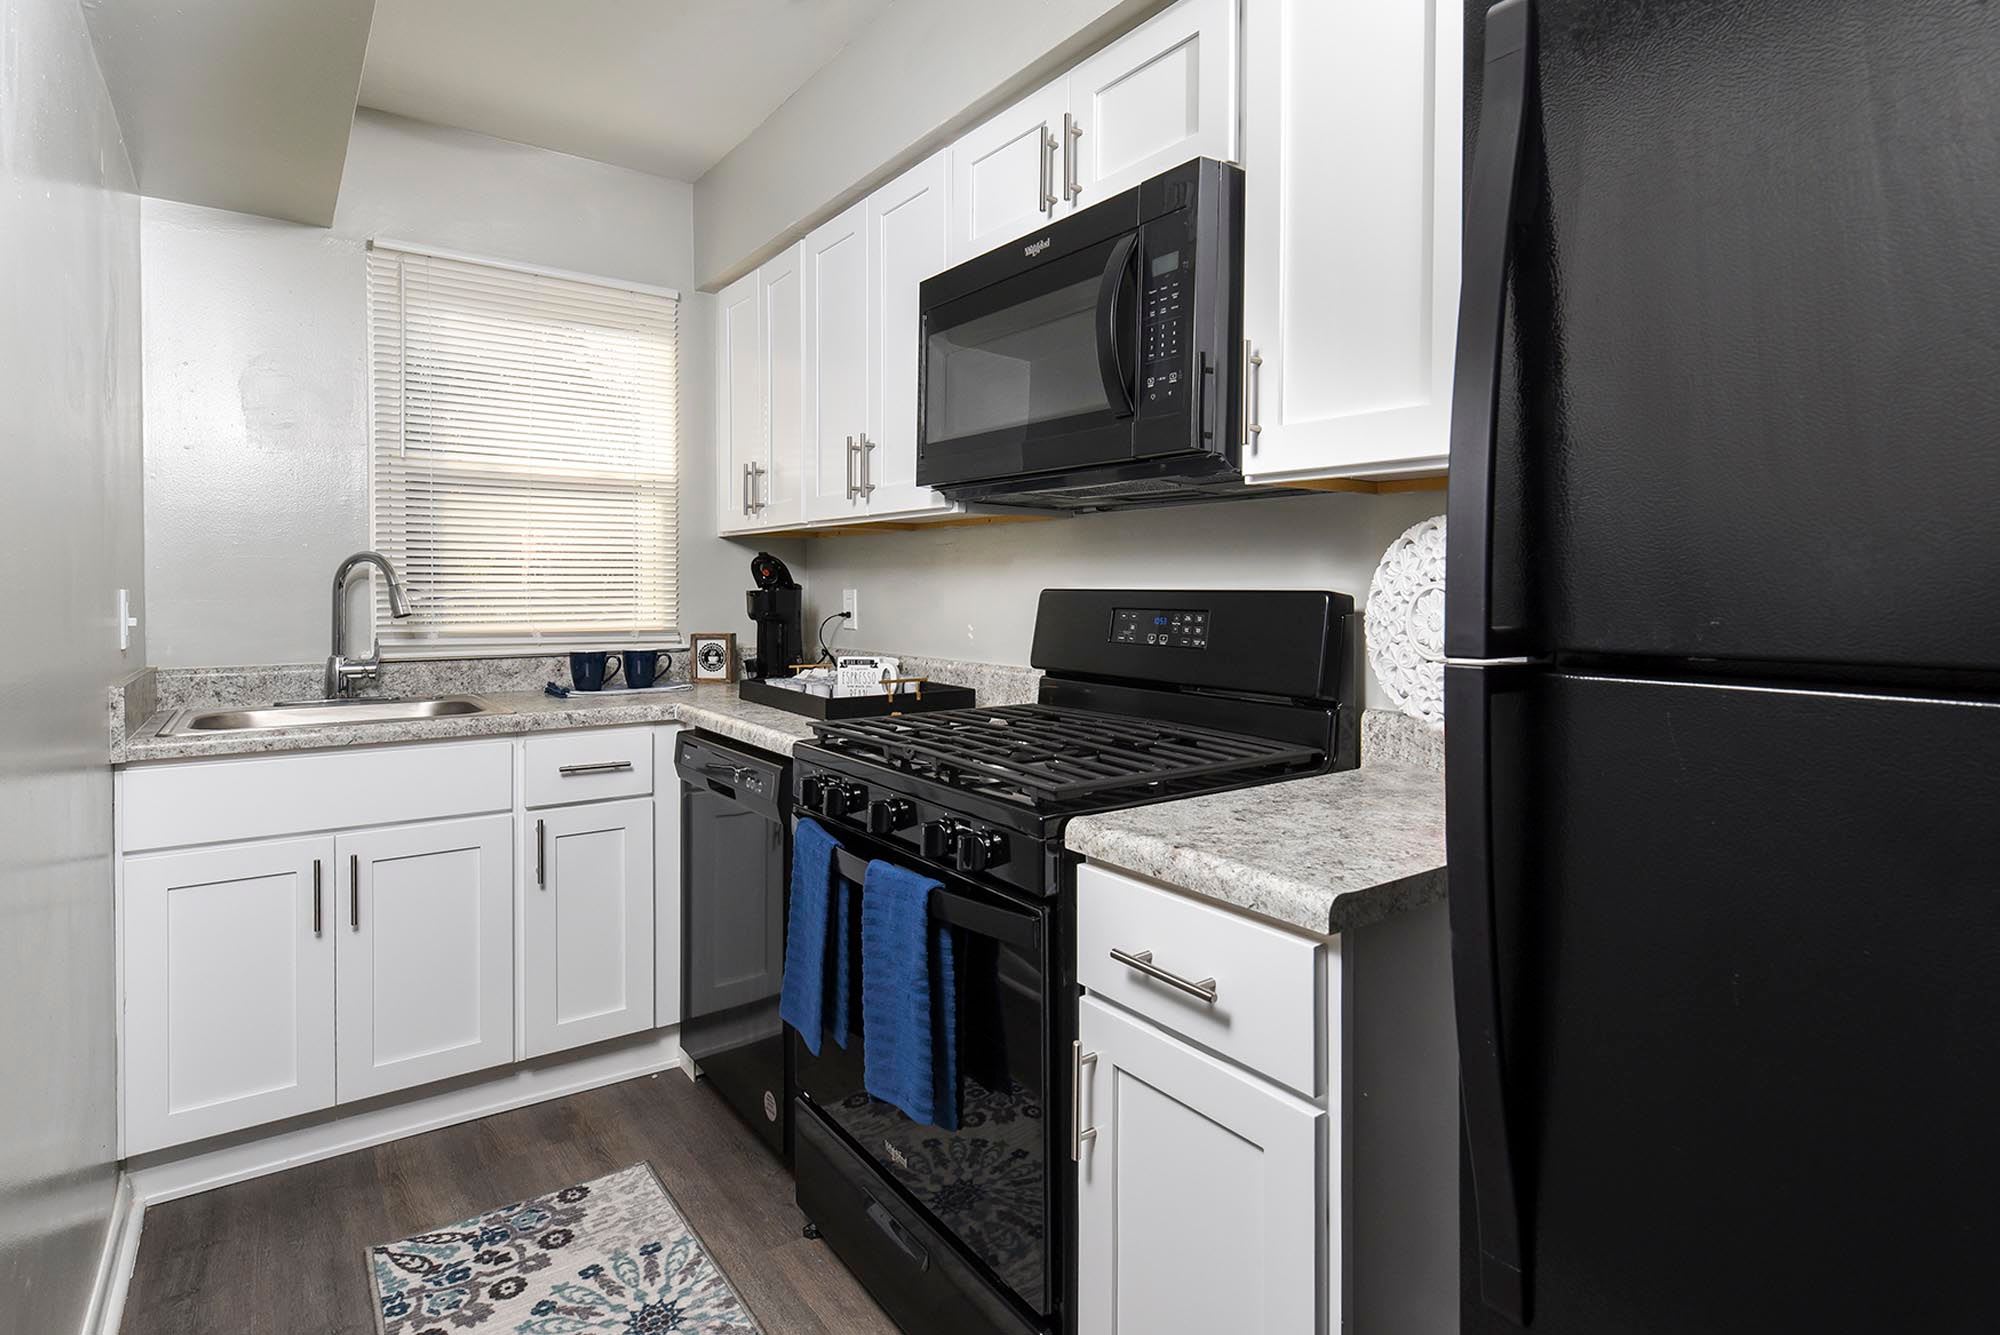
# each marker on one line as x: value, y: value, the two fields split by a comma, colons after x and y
x: 905, y: 85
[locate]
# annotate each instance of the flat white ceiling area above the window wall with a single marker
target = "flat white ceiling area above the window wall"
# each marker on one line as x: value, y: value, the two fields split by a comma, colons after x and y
x: 665, y: 87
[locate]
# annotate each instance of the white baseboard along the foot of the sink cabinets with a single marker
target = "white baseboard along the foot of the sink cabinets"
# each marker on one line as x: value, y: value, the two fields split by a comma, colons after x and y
x: 169, y: 1176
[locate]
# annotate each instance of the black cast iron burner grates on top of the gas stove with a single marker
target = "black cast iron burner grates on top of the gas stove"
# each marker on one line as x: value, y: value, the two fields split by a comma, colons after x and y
x: 1047, y: 754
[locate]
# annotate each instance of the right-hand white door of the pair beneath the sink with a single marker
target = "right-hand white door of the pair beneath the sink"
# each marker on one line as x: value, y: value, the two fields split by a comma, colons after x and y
x: 425, y: 928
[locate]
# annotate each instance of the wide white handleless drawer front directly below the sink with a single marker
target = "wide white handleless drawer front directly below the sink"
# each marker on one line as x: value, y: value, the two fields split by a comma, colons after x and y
x: 233, y: 800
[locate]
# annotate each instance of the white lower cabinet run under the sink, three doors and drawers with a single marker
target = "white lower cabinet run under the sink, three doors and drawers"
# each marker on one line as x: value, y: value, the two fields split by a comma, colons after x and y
x: 303, y: 932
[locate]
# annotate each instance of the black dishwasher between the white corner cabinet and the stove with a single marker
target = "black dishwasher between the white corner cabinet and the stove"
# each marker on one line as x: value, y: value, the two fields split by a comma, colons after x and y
x: 735, y: 872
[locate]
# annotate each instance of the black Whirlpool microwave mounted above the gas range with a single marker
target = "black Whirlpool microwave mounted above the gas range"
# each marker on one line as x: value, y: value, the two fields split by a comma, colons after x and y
x: 1093, y: 365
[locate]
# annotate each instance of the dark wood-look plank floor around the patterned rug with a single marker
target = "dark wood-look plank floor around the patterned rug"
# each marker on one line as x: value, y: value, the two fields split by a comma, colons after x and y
x: 285, y: 1254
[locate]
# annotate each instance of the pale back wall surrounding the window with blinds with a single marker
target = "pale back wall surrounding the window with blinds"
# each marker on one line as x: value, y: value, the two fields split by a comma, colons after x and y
x: 257, y: 401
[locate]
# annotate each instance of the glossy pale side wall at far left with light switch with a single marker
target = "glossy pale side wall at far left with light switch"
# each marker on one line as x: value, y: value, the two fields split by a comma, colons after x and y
x: 71, y: 531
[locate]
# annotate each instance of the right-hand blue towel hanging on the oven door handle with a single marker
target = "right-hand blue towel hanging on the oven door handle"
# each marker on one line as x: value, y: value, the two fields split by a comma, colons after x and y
x: 909, y: 998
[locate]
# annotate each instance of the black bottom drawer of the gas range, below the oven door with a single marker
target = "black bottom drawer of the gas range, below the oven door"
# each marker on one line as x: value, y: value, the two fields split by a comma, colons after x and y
x: 911, y: 1270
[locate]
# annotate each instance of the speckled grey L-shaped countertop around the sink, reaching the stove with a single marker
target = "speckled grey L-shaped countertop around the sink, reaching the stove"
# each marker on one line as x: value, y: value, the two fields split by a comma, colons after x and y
x: 713, y: 708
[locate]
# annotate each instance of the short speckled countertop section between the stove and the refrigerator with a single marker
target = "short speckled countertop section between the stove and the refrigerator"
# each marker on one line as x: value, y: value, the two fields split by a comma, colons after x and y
x: 1325, y: 854
